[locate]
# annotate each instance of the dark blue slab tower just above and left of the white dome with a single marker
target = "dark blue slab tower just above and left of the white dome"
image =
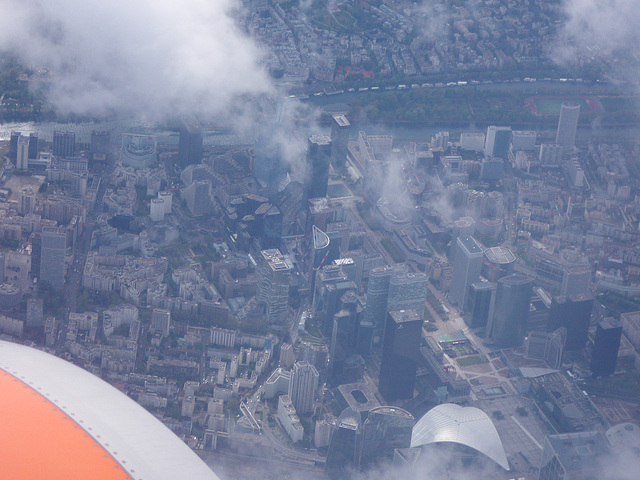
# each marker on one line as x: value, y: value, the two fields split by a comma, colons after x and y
x: 400, y: 350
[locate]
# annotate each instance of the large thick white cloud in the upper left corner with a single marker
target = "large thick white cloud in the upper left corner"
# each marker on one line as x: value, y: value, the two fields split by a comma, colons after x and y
x: 155, y: 57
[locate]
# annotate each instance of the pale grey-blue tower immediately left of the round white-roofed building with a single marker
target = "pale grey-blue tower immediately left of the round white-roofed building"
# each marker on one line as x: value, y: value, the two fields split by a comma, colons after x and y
x: 467, y: 264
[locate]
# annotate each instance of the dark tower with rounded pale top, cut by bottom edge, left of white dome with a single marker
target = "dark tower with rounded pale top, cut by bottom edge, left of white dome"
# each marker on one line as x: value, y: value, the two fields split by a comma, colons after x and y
x: 344, y: 448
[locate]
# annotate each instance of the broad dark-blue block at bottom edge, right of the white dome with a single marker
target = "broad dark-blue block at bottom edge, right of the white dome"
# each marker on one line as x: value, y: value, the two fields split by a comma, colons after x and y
x: 574, y: 456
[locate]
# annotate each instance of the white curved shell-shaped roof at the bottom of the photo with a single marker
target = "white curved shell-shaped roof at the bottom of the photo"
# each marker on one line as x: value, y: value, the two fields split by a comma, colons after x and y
x: 467, y: 426
